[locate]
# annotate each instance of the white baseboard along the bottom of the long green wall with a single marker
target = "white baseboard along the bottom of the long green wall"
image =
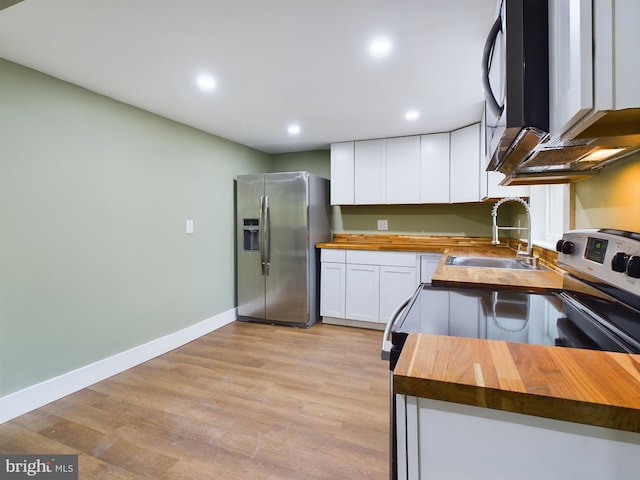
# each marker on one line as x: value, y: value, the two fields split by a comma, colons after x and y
x: 40, y: 394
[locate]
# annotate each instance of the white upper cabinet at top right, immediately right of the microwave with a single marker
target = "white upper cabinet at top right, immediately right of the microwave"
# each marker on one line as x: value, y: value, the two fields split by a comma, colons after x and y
x: 593, y: 65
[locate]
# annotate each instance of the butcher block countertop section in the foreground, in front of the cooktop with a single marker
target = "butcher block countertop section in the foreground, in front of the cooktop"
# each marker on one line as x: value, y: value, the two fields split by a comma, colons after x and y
x: 582, y: 386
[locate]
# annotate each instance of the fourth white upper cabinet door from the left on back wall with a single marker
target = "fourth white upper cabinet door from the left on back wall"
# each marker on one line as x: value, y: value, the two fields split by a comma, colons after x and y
x: 434, y: 168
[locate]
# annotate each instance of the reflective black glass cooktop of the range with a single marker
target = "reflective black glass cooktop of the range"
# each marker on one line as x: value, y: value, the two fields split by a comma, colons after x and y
x: 514, y: 315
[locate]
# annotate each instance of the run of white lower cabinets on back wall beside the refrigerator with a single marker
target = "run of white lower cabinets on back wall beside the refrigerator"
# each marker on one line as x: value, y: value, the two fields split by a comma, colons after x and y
x: 365, y: 287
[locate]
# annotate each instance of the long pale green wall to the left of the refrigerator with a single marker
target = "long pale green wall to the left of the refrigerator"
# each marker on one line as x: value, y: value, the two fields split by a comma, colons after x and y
x: 94, y: 195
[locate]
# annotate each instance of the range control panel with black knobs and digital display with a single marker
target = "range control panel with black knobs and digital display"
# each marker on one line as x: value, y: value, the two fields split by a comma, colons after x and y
x: 604, y: 255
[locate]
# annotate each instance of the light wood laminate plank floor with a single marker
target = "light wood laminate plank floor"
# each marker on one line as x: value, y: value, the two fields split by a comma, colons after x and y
x: 248, y: 401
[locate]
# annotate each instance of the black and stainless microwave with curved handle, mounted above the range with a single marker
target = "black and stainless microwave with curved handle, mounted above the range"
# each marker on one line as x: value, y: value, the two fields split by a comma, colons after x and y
x: 515, y: 77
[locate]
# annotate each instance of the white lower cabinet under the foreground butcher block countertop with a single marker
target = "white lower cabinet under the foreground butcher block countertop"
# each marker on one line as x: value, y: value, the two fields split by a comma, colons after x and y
x: 446, y: 440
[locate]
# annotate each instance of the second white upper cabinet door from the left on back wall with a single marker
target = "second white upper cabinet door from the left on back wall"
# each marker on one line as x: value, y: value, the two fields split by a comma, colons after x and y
x: 370, y: 172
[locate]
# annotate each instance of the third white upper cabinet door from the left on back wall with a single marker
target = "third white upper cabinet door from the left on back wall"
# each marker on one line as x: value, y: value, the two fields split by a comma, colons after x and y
x: 403, y: 170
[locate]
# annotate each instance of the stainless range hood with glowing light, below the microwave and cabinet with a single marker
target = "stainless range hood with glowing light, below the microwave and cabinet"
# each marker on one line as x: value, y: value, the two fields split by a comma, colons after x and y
x: 535, y: 158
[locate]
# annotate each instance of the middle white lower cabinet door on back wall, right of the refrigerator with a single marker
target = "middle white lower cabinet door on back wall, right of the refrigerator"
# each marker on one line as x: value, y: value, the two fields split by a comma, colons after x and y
x: 363, y: 292
